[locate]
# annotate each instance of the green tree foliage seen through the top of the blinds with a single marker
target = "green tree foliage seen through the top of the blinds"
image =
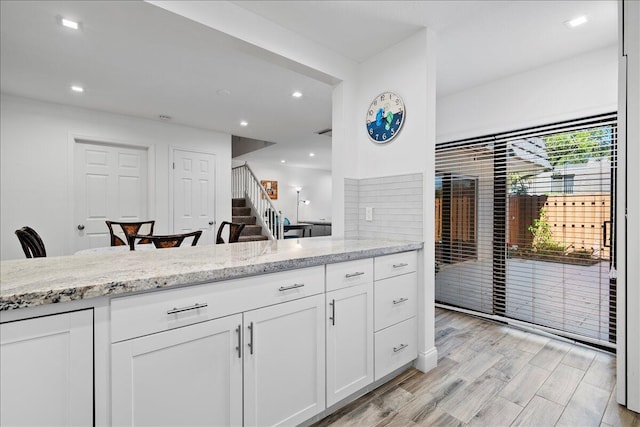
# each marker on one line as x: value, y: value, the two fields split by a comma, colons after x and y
x: 577, y: 147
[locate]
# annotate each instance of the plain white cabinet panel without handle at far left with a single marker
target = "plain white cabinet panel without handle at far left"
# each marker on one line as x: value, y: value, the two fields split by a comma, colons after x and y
x: 46, y: 366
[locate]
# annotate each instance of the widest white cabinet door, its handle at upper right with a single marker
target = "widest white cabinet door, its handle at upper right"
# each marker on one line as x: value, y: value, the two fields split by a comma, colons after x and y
x: 186, y: 376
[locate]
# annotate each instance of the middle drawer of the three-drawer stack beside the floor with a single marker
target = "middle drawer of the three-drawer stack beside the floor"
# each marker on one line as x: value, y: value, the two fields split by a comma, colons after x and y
x: 396, y: 299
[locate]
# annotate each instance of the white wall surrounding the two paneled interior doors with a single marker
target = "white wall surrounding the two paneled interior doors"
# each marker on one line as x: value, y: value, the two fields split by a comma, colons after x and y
x: 36, y: 166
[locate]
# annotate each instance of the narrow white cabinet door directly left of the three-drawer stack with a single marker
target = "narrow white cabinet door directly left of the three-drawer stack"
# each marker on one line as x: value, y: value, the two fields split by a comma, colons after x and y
x: 349, y: 341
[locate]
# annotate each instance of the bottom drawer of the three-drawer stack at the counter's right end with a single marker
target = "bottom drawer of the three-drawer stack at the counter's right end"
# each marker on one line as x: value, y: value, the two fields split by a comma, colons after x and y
x: 395, y: 346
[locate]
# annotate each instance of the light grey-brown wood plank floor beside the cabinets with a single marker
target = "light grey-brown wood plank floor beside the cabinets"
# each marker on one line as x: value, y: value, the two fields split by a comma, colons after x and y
x: 489, y: 374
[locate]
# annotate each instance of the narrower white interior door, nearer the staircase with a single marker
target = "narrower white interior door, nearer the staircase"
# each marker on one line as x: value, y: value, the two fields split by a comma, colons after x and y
x: 194, y: 193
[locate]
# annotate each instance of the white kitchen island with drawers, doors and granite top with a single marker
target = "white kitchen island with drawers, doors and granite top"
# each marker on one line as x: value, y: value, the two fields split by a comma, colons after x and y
x: 256, y: 333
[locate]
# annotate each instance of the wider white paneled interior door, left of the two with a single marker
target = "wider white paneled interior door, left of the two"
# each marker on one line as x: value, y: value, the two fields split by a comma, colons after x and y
x: 110, y: 184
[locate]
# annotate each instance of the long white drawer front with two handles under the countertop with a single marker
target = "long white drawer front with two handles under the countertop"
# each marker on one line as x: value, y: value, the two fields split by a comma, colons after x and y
x: 144, y: 314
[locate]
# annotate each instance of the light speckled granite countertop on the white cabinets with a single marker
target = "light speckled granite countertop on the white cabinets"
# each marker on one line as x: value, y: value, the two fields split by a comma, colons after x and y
x: 33, y: 282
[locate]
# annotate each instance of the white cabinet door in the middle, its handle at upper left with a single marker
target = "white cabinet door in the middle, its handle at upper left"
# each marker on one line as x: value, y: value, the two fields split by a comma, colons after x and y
x: 284, y: 362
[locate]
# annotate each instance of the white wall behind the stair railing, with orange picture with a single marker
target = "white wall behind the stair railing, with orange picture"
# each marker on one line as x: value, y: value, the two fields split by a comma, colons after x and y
x: 315, y: 184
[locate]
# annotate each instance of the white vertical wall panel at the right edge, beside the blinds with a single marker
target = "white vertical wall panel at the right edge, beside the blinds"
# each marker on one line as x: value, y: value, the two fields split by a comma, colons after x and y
x: 629, y: 232
